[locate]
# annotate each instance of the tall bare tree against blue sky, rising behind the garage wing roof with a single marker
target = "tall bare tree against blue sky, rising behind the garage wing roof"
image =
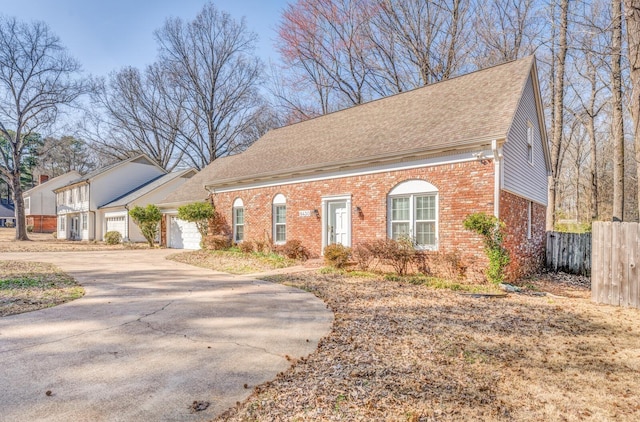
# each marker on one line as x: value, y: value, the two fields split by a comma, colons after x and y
x: 212, y: 61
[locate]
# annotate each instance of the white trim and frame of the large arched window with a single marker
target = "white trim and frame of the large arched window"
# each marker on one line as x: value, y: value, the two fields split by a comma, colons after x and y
x: 411, y: 189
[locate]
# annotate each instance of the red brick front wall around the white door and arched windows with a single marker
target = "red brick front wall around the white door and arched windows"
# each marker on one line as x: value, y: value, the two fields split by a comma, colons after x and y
x: 463, y: 188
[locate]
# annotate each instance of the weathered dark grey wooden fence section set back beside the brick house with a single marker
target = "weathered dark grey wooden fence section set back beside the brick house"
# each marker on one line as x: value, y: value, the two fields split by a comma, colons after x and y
x: 569, y: 252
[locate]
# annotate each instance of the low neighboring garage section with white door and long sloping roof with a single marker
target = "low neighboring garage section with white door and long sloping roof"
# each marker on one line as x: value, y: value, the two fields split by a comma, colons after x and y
x: 115, y: 214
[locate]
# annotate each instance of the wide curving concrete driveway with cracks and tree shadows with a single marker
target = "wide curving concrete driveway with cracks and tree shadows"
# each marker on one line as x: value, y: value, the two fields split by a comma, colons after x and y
x: 150, y: 337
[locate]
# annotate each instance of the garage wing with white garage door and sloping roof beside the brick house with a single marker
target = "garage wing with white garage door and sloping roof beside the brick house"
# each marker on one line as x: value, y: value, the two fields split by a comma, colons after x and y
x: 180, y: 234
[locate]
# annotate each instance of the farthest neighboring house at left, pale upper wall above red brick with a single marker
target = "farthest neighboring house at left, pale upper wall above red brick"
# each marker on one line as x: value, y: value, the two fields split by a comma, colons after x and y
x: 40, y: 203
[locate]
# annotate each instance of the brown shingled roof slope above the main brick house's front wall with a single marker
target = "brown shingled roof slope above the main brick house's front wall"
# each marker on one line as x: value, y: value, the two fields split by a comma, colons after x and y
x: 462, y: 111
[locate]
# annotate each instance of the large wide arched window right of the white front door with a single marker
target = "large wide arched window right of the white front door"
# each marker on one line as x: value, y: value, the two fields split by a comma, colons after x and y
x: 413, y: 213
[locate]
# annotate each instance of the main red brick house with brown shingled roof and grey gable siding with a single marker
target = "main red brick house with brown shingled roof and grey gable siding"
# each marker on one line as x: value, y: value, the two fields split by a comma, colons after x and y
x: 415, y: 163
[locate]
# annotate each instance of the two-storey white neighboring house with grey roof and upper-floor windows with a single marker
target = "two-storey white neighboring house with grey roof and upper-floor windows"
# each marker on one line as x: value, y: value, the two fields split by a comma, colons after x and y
x: 79, y: 201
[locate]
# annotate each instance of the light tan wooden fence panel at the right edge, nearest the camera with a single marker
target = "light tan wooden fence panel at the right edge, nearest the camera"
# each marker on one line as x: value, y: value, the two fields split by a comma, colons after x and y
x: 616, y: 256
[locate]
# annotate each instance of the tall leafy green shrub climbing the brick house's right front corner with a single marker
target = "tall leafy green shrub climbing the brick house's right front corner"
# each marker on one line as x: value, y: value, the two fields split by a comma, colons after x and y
x: 492, y: 231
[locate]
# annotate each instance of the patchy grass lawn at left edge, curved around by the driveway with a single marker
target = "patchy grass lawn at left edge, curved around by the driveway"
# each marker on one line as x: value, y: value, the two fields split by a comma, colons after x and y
x: 29, y: 286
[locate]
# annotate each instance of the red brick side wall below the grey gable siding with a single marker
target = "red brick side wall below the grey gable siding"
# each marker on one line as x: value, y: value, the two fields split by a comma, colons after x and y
x: 526, y: 254
